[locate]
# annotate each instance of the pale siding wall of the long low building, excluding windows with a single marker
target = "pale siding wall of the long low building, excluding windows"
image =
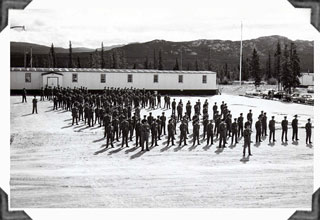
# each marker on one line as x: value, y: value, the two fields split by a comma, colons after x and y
x: 92, y: 80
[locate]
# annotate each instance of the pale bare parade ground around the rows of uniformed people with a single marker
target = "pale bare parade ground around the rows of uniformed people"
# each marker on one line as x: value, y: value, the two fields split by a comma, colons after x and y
x: 57, y: 165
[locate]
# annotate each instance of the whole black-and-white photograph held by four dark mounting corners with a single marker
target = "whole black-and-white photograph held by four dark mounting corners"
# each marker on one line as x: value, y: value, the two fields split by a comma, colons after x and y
x: 202, y: 105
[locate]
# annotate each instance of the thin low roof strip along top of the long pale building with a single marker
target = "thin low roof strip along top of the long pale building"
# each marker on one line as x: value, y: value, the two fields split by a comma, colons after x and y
x: 57, y: 70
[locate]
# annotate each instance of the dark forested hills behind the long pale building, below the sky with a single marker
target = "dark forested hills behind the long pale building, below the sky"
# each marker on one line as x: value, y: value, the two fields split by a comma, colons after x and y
x: 218, y: 55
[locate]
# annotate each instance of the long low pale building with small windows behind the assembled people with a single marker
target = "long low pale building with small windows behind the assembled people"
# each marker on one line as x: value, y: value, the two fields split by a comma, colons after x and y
x: 164, y: 81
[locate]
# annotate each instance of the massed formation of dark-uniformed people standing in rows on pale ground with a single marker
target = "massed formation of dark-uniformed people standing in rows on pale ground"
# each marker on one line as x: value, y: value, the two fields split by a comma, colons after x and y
x: 118, y: 111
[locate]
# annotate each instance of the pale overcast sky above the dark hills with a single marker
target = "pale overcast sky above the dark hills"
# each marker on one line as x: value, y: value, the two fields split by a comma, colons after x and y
x: 123, y: 22
